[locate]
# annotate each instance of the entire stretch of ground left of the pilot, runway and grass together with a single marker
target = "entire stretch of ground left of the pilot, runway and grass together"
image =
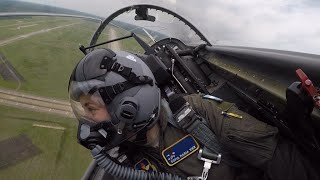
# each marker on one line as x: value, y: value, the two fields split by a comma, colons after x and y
x: 37, y: 128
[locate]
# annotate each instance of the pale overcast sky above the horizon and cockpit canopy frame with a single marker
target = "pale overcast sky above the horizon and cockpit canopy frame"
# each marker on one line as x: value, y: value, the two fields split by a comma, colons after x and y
x: 276, y: 24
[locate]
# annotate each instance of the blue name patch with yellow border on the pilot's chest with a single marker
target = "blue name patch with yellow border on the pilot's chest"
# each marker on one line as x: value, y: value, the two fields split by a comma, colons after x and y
x: 180, y: 150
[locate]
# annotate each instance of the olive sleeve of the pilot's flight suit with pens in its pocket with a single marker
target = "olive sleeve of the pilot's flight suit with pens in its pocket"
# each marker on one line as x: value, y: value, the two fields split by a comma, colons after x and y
x: 248, y: 139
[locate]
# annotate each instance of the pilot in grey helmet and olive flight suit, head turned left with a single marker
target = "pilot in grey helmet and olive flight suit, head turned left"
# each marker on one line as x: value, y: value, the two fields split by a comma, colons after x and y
x: 118, y: 94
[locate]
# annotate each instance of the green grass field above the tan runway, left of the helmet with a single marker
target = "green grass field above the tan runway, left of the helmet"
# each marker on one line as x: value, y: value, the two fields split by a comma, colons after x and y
x: 47, y: 60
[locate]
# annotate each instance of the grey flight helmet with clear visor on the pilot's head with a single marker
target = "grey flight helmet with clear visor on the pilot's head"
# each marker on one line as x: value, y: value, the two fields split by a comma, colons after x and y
x: 121, y: 83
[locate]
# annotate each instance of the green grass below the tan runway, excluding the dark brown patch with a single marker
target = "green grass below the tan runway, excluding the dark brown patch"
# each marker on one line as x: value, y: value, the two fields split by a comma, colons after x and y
x: 60, y: 158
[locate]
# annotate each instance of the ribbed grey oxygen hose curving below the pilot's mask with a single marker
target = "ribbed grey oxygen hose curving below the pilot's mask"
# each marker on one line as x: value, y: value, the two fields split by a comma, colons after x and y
x: 123, y: 172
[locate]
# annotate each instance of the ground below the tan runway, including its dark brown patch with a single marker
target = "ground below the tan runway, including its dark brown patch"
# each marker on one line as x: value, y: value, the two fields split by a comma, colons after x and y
x: 49, y: 149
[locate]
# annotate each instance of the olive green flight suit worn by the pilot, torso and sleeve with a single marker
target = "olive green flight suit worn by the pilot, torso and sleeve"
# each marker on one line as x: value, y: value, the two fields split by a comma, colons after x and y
x: 255, y: 143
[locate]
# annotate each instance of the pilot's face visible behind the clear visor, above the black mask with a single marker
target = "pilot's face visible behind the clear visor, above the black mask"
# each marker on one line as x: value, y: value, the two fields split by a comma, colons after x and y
x: 94, y: 108
